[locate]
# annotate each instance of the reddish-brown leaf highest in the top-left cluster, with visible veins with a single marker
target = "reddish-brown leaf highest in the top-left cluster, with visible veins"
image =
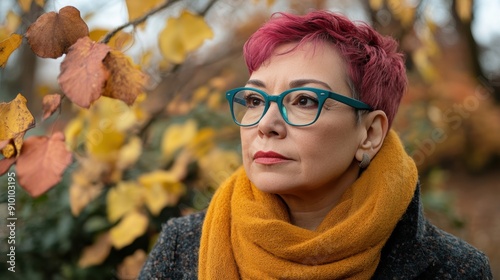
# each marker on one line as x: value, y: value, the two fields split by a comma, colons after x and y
x: 53, y: 33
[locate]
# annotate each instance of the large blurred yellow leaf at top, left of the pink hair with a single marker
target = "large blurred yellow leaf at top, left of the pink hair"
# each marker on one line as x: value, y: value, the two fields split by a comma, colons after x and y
x: 183, y: 35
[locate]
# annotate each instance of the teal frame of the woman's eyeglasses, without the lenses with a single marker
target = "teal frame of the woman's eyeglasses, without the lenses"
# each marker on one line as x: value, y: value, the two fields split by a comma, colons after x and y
x: 322, y: 95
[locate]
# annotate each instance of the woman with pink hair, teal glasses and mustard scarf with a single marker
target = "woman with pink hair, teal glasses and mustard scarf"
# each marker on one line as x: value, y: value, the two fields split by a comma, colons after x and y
x: 326, y: 190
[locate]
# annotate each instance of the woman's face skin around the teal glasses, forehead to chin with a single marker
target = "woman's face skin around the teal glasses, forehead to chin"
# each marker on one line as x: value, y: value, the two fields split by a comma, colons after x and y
x: 288, y: 160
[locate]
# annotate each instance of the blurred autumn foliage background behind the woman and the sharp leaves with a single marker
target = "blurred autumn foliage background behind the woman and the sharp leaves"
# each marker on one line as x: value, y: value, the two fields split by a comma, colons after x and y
x: 135, y: 167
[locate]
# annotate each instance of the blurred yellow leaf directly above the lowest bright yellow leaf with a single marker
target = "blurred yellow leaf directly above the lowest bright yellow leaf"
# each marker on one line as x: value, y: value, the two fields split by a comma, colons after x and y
x: 126, y: 197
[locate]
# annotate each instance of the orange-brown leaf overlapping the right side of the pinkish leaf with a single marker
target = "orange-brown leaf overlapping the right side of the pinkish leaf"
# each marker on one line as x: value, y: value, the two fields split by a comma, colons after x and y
x: 126, y: 81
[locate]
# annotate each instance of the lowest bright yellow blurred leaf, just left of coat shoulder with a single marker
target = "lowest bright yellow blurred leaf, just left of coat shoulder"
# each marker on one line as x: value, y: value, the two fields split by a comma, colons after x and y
x: 133, y: 225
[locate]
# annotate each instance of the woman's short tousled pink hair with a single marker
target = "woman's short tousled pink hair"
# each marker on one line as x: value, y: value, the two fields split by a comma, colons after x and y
x: 376, y: 69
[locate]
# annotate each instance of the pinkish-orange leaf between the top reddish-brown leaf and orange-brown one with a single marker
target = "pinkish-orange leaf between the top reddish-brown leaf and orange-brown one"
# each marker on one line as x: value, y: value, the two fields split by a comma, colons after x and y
x: 83, y: 75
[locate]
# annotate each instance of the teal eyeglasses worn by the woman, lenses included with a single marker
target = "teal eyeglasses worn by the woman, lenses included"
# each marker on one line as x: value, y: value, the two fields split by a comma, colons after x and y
x: 298, y: 106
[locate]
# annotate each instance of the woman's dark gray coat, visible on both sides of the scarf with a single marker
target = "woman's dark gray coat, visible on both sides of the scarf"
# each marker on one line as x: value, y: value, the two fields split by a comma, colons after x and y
x: 415, y: 250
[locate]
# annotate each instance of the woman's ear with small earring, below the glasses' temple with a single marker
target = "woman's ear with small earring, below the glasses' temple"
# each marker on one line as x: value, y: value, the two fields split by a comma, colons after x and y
x: 375, y: 126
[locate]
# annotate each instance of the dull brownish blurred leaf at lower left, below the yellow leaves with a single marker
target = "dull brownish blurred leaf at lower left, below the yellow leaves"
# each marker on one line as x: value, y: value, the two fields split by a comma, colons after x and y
x: 96, y: 253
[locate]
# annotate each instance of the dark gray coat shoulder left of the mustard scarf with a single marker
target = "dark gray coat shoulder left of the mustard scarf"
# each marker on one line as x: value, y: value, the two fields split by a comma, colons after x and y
x: 175, y: 254
